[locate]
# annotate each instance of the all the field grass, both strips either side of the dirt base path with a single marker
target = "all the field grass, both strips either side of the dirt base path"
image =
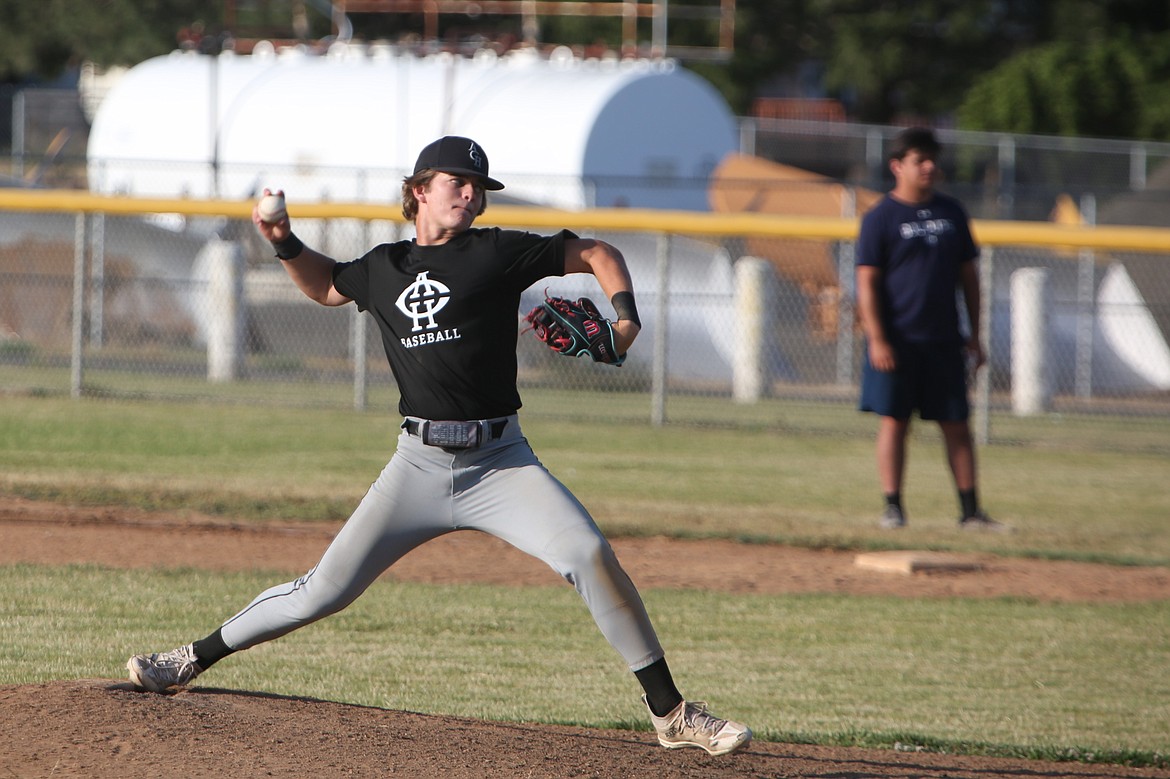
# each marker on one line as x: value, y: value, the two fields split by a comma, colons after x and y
x: 1002, y: 677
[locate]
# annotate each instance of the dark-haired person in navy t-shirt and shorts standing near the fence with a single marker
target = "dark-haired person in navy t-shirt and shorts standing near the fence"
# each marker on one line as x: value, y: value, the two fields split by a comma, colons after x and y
x: 914, y: 252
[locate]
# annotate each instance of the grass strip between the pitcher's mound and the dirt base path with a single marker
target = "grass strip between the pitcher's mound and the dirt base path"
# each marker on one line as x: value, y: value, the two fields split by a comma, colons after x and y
x: 988, y: 677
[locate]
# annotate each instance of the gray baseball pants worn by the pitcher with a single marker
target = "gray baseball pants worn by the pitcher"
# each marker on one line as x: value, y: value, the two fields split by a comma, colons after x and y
x: 425, y: 492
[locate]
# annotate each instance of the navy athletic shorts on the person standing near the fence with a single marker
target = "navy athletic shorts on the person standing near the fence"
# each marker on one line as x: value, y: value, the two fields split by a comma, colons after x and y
x: 930, y: 378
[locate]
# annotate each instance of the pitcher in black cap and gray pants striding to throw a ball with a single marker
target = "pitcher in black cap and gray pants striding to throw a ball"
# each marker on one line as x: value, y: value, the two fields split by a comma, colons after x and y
x: 446, y: 304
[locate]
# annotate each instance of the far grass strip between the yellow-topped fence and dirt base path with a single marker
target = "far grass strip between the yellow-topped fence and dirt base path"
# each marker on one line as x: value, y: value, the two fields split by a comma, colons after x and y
x: 765, y: 485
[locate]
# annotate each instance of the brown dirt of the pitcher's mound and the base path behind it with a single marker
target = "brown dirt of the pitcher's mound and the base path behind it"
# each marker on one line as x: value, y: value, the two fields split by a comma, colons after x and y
x: 105, y: 729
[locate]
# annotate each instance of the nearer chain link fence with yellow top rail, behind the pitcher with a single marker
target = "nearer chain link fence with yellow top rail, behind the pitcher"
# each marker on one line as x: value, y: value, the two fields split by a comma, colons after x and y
x: 748, y: 321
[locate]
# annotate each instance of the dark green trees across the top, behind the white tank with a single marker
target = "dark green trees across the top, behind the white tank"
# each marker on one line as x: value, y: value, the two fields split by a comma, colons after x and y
x: 1086, y: 67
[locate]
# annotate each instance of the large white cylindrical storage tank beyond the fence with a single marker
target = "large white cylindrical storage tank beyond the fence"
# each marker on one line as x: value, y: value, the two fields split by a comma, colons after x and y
x: 559, y: 132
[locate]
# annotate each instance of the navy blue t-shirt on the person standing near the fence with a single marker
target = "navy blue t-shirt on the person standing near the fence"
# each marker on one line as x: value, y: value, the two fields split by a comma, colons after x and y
x: 920, y: 251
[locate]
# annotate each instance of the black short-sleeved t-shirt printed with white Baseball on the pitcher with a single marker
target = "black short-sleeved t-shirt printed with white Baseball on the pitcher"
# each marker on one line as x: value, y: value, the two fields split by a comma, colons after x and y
x: 450, y: 315
